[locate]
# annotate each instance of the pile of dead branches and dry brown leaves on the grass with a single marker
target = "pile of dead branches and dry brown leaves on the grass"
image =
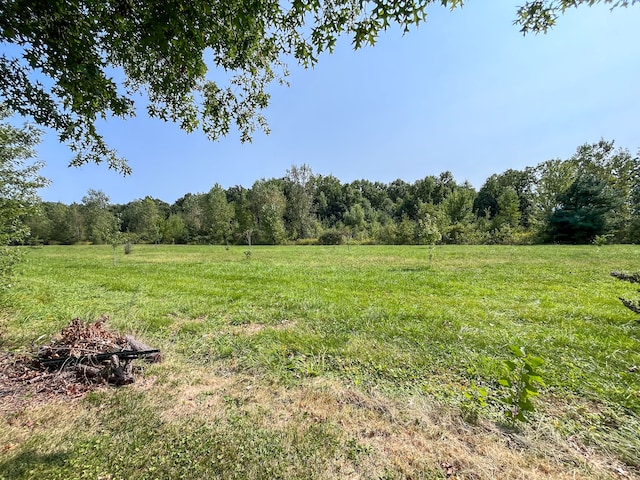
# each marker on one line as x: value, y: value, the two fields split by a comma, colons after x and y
x: 95, y: 353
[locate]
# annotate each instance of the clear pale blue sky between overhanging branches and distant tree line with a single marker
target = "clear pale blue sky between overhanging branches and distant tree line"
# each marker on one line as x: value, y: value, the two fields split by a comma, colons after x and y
x: 465, y: 92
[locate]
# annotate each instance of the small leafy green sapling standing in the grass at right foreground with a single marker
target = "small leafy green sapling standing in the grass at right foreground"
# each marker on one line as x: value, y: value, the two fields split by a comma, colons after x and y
x: 522, y: 381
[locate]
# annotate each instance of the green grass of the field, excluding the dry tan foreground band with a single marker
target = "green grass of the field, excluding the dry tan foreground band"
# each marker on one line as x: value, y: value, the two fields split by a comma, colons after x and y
x: 376, y: 319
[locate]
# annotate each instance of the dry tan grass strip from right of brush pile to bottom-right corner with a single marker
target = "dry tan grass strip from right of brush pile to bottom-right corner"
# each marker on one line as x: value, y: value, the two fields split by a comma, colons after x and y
x: 403, y: 438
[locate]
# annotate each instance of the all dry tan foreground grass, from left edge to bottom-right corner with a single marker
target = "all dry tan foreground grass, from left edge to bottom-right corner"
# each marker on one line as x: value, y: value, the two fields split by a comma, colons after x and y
x: 380, y: 437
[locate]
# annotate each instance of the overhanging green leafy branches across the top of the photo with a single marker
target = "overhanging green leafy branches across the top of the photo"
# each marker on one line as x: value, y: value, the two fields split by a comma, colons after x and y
x: 204, y: 64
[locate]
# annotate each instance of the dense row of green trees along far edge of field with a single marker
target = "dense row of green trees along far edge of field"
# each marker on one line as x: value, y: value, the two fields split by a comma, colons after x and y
x: 594, y: 196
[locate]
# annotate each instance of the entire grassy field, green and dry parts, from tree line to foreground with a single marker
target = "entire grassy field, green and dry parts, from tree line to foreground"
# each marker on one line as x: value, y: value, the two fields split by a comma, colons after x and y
x: 335, y: 362
